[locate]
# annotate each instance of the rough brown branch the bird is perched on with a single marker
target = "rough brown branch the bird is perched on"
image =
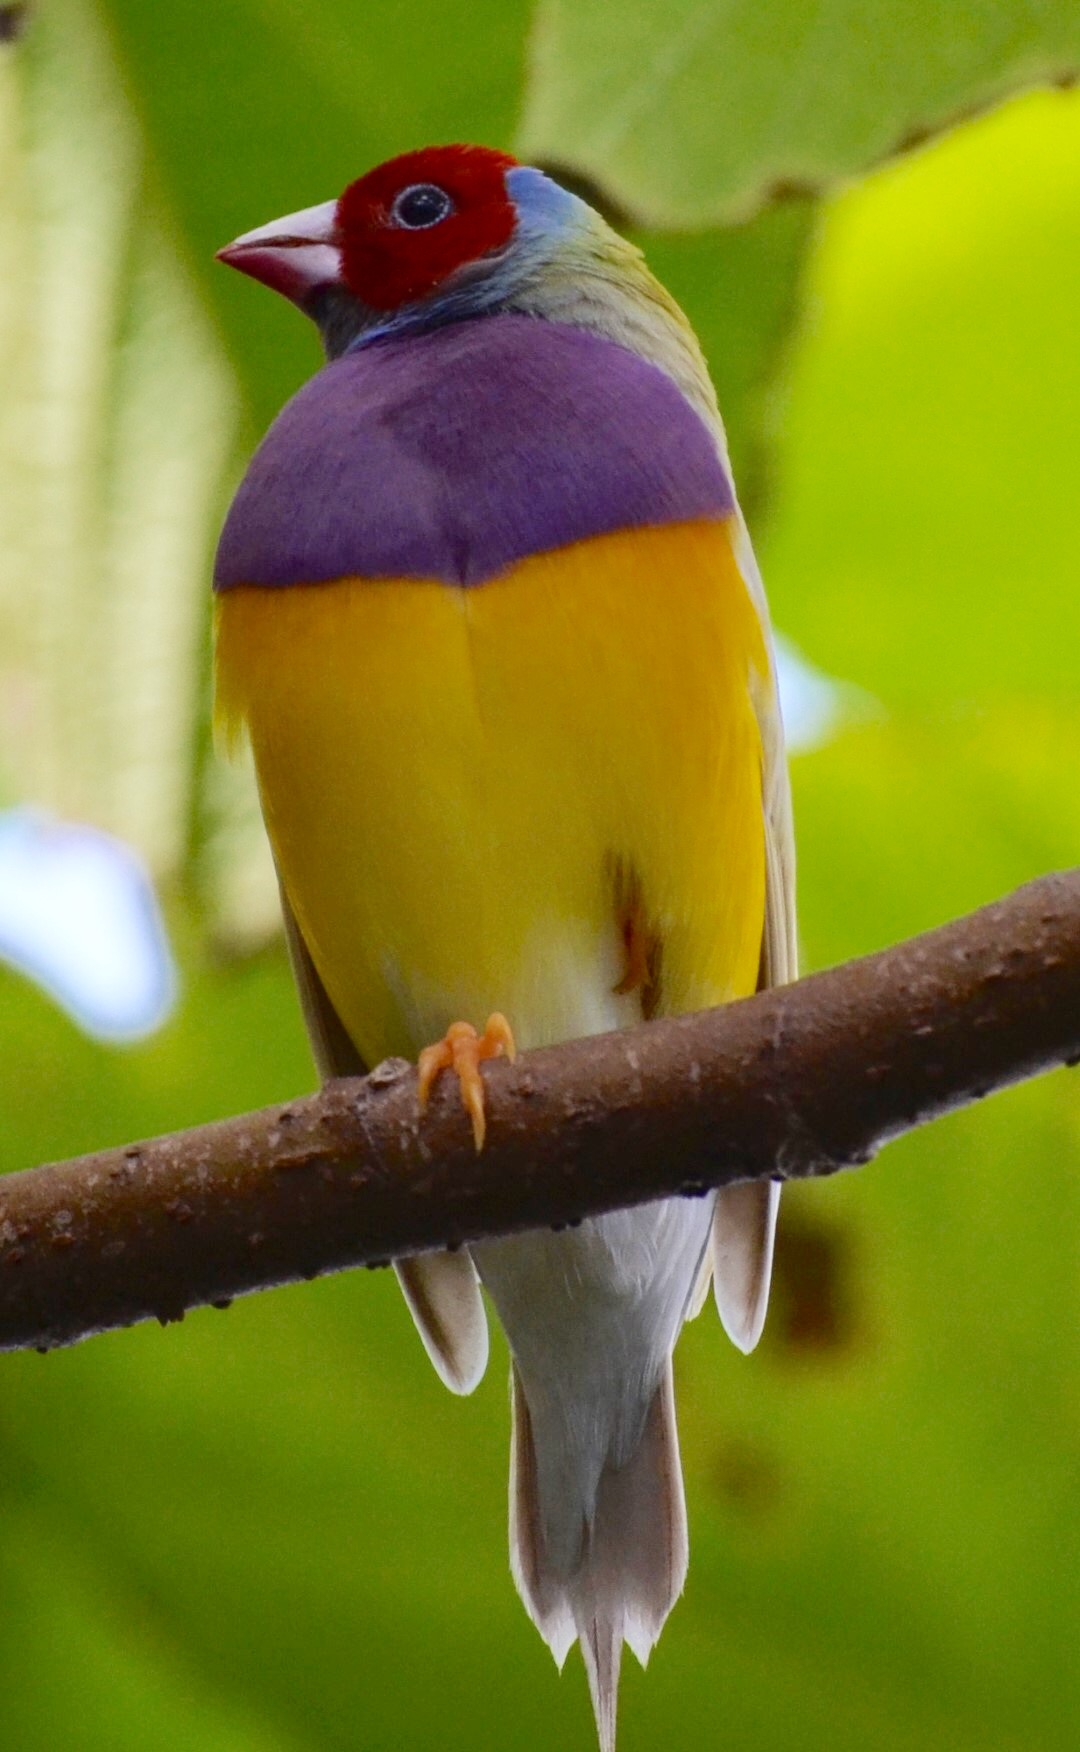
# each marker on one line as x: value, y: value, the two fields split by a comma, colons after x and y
x: 799, y: 1082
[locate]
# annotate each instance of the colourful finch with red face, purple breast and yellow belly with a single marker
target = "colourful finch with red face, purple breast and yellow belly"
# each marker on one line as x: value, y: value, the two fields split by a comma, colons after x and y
x: 490, y: 619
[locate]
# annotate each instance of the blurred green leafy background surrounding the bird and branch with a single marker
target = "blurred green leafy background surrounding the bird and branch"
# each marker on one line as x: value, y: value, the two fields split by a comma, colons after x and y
x: 271, y: 1530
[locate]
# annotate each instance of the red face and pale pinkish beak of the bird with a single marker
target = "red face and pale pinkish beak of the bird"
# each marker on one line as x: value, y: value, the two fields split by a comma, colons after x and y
x: 395, y: 236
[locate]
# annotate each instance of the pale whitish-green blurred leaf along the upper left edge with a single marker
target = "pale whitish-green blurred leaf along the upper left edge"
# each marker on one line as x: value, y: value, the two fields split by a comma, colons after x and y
x: 106, y: 505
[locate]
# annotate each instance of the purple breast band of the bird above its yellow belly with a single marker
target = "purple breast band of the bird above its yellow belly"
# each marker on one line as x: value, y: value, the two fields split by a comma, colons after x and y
x: 460, y: 453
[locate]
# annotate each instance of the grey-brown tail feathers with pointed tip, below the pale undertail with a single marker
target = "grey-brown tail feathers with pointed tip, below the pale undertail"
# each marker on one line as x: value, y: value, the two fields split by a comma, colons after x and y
x: 632, y: 1551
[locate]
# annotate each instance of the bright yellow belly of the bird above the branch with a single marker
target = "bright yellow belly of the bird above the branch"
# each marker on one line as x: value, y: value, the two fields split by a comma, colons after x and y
x: 451, y: 777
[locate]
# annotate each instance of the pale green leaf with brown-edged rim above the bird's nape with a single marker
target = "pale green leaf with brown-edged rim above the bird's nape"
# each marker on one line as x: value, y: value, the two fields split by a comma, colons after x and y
x: 695, y: 113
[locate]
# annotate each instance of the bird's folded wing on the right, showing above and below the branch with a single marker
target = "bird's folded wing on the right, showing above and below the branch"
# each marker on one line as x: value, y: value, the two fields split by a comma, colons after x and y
x: 746, y: 1219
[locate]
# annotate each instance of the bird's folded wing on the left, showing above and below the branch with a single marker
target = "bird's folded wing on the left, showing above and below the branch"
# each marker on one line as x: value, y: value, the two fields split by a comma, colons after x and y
x: 443, y: 1290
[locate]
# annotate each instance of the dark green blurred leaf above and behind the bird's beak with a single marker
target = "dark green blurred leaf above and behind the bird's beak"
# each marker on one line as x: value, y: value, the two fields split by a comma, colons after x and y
x: 253, y: 111
